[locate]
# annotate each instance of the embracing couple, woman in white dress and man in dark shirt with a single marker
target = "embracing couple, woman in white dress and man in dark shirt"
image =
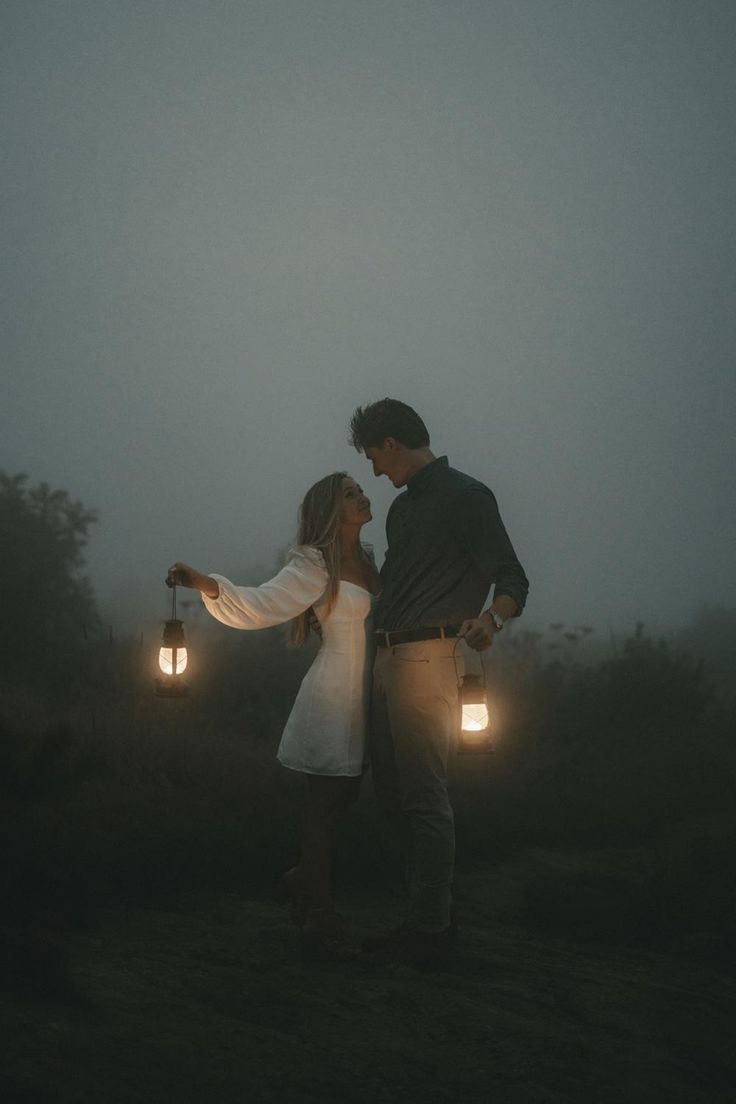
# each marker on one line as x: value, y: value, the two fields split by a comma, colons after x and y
x: 383, y: 688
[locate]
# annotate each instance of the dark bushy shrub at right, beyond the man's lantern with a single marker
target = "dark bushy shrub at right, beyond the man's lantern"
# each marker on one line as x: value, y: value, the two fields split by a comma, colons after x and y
x: 620, y: 752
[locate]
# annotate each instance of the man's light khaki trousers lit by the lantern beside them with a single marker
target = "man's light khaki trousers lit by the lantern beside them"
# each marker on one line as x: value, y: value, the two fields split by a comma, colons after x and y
x: 414, y: 719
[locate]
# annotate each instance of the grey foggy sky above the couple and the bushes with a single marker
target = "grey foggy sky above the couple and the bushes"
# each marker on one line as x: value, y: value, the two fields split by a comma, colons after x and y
x: 227, y: 225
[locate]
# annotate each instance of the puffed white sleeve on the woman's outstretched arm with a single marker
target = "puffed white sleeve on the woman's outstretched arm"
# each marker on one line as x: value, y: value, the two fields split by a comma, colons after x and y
x: 298, y: 586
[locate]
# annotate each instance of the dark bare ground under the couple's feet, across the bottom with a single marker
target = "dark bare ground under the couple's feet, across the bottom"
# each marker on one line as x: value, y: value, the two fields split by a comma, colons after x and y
x: 210, y: 1000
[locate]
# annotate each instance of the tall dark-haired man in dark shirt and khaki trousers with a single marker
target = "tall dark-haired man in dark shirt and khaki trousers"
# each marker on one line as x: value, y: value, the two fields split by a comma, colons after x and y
x: 447, y: 547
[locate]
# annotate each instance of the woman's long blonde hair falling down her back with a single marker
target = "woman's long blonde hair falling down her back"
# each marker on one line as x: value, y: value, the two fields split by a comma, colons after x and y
x: 319, y: 516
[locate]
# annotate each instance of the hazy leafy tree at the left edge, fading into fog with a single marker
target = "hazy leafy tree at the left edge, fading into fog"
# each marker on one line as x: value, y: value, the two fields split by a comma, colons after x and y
x: 48, y: 606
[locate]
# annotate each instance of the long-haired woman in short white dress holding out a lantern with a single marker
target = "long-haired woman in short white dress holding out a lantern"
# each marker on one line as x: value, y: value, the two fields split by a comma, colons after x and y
x: 328, y: 585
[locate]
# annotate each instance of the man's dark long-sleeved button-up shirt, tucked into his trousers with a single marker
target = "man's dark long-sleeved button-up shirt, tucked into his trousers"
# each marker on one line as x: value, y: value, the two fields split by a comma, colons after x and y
x: 447, y: 547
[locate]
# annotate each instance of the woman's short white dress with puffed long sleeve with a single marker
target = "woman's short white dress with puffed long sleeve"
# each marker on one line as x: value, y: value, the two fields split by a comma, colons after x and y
x: 326, y: 733
